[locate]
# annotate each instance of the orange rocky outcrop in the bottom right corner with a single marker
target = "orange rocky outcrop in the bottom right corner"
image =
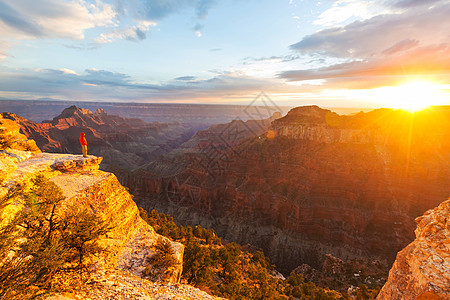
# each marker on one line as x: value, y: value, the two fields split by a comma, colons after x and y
x: 422, y: 269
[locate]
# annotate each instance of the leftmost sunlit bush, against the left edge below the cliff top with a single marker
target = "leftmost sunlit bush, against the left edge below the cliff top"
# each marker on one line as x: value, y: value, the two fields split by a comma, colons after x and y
x: 31, y: 249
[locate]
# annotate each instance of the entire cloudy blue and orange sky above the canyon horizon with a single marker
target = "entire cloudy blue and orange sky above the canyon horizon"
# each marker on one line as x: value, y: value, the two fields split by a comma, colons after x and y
x: 342, y: 53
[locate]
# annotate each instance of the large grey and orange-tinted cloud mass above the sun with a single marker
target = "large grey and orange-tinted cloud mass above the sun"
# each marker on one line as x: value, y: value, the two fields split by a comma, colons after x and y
x: 383, y: 49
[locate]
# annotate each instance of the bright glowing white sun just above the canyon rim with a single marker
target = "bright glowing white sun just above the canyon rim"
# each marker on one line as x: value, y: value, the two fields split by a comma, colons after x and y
x: 415, y: 95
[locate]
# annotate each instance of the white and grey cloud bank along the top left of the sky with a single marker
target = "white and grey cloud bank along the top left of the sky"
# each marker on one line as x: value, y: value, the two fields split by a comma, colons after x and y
x: 128, y: 20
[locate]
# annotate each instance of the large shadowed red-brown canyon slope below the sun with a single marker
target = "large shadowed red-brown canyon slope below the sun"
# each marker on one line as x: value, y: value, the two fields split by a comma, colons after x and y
x: 314, y: 183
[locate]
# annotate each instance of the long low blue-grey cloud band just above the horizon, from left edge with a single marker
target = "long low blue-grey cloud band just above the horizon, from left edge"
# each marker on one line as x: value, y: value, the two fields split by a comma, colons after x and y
x: 103, y: 85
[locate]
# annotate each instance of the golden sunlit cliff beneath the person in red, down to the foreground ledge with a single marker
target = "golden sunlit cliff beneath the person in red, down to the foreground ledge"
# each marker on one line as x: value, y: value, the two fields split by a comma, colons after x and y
x: 128, y: 243
